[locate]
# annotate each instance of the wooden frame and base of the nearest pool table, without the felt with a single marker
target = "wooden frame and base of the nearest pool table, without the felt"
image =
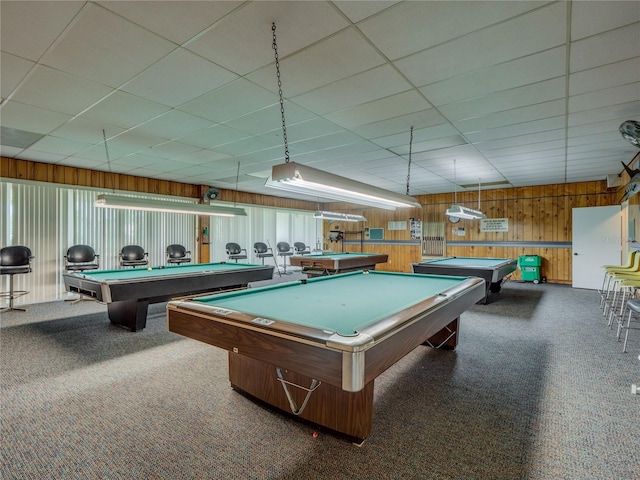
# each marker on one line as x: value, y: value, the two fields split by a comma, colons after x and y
x: 346, y: 366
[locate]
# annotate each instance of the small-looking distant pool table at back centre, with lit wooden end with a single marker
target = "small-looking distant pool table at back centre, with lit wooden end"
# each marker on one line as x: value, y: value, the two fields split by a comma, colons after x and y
x: 318, y: 264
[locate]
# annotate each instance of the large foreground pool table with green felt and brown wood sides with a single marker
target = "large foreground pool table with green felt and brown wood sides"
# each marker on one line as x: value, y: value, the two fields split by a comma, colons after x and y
x: 313, y: 348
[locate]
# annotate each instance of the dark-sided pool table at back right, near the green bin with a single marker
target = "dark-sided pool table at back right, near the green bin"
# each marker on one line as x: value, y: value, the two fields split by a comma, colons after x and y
x: 493, y: 270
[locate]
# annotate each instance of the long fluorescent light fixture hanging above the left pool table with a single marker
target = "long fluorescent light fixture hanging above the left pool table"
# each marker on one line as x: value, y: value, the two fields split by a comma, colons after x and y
x: 132, y: 203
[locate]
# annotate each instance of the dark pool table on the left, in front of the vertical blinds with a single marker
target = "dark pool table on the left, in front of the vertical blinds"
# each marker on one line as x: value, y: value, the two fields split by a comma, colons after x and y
x: 128, y: 292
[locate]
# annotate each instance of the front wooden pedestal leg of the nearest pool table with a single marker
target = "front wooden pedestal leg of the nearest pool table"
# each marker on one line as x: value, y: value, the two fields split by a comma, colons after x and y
x: 349, y: 413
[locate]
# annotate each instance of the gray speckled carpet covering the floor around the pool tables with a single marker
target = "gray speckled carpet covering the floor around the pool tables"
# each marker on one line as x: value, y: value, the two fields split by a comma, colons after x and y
x: 538, y: 388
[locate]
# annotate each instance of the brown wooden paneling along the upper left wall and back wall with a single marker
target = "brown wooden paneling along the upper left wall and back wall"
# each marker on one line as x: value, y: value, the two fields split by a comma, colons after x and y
x: 535, y: 214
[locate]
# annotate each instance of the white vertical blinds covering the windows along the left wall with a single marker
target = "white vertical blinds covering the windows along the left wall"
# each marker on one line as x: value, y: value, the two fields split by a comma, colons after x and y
x: 50, y: 218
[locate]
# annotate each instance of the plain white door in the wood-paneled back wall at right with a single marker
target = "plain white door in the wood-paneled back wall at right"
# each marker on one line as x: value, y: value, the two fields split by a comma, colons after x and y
x: 597, y: 241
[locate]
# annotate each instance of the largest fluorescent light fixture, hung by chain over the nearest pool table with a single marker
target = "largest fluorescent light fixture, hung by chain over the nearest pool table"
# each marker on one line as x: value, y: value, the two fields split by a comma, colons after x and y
x: 305, y: 180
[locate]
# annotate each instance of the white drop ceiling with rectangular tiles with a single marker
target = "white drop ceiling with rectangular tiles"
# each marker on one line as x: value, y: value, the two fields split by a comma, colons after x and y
x: 509, y: 93
